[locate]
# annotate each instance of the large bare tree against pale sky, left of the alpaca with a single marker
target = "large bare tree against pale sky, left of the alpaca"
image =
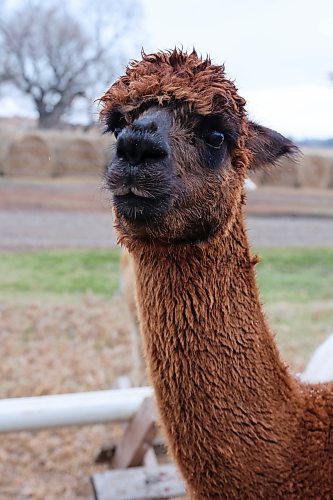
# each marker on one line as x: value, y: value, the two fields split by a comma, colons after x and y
x: 47, y: 53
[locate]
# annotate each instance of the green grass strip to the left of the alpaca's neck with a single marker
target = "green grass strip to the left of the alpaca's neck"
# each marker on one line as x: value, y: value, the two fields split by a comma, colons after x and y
x: 58, y: 274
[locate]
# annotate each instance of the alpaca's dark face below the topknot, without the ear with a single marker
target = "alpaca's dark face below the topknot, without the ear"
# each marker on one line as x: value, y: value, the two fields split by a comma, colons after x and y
x: 172, y: 177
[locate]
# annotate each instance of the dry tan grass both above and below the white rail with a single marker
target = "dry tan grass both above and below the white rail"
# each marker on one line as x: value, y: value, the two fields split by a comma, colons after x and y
x: 56, y: 348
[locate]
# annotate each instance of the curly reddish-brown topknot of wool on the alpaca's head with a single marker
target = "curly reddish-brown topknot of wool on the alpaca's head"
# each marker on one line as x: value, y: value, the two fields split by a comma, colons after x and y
x: 175, y: 76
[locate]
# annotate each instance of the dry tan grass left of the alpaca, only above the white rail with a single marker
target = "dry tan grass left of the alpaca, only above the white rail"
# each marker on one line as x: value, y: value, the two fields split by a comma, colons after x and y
x: 62, y: 347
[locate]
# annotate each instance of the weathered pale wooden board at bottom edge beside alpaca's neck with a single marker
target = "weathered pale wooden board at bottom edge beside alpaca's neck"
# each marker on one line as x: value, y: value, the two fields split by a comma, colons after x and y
x: 137, y: 483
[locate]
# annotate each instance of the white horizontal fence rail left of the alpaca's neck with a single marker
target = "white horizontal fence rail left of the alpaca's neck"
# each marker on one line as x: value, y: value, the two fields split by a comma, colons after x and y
x: 62, y: 410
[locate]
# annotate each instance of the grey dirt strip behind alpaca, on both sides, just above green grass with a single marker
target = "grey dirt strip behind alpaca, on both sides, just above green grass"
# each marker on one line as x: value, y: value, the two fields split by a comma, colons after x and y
x: 36, y: 229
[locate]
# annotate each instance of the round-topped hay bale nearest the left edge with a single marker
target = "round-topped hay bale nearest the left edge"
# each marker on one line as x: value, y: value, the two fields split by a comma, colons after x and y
x: 29, y: 155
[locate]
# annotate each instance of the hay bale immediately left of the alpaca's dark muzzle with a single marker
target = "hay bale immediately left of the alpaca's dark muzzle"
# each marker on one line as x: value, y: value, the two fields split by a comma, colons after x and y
x: 77, y: 155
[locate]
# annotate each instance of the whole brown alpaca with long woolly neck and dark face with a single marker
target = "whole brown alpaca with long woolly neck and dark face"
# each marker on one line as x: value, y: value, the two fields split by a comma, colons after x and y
x: 238, y: 424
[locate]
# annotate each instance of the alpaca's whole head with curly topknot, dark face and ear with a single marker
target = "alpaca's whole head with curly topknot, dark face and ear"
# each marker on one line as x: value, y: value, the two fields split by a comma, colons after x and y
x: 183, y: 147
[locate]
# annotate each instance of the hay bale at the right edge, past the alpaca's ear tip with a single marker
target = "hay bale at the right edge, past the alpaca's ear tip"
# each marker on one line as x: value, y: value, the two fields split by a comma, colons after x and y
x: 315, y: 172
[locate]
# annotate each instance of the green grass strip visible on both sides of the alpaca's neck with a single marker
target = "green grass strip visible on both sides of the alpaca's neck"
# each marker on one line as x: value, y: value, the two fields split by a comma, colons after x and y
x: 294, y: 275
